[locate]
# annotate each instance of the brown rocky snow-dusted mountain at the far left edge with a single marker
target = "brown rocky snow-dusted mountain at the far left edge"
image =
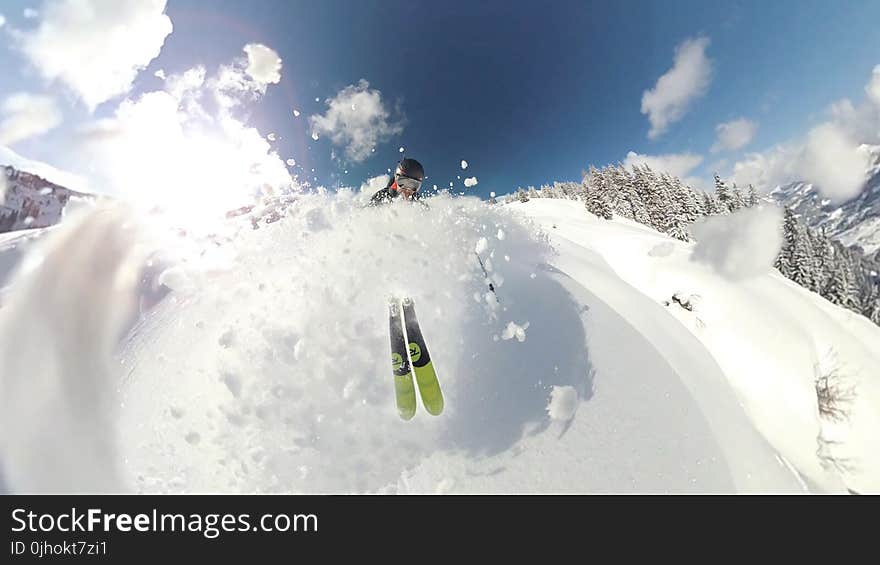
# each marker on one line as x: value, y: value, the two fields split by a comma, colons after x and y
x: 32, y: 202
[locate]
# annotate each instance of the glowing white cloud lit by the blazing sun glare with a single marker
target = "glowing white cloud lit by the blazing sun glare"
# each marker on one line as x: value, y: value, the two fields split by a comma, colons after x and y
x: 167, y: 149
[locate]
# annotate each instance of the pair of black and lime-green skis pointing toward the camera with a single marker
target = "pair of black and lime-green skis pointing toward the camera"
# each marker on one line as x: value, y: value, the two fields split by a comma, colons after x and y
x: 409, y: 356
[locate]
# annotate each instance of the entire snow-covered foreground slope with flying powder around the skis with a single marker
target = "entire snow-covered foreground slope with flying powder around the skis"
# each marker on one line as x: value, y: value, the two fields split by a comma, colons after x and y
x: 616, y: 360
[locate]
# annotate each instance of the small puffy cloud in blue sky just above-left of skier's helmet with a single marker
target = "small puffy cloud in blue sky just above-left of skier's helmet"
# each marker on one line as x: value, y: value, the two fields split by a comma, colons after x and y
x: 356, y: 120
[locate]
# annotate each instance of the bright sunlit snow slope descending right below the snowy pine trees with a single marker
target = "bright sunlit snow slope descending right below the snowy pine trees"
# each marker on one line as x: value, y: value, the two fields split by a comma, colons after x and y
x: 766, y: 334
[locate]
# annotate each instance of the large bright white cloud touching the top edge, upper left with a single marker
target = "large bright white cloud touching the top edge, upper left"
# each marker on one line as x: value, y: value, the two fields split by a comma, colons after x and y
x: 96, y: 47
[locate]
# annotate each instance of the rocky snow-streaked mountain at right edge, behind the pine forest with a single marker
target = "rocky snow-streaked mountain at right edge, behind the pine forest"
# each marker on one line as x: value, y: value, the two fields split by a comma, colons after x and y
x: 854, y: 223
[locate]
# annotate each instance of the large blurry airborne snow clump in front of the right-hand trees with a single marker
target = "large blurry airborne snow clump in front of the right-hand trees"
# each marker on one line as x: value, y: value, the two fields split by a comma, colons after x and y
x: 741, y: 245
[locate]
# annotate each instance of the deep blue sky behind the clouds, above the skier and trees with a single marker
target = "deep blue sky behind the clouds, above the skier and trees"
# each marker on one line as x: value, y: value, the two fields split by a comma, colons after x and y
x: 526, y: 93
